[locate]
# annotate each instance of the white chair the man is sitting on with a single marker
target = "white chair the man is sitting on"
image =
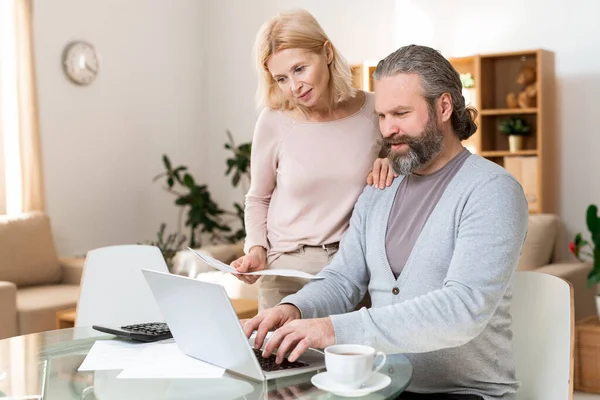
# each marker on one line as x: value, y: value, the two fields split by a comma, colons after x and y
x: 543, y: 336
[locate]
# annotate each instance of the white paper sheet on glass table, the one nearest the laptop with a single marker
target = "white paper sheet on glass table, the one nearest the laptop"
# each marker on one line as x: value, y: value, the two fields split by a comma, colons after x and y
x: 167, y: 361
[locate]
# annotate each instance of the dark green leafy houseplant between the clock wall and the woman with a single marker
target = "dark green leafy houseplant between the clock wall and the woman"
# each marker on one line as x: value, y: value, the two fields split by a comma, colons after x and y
x: 204, y: 218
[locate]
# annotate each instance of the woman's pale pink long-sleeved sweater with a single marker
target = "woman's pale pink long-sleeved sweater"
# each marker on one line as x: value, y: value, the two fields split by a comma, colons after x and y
x: 306, y: 177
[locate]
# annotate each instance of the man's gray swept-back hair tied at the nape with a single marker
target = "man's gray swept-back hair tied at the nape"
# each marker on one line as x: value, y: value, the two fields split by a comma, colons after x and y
x: 438, y: 76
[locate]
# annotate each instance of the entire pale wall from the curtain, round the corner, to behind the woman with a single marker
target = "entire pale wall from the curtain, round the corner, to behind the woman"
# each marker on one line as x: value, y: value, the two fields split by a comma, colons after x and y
x: 174, y: 76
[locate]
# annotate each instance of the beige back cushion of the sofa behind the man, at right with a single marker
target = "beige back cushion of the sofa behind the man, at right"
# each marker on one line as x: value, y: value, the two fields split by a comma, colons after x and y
x: 541, y: 237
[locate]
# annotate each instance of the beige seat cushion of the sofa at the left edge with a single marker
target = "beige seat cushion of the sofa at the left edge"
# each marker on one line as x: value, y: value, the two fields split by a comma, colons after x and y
x: 37, y: 306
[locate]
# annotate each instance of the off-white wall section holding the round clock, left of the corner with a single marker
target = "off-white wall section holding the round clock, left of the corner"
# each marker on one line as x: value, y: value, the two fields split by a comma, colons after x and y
x: 102, y: 144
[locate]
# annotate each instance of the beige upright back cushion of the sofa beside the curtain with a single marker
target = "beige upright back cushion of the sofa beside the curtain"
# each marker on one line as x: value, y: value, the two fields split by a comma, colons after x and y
x: 27, y: 253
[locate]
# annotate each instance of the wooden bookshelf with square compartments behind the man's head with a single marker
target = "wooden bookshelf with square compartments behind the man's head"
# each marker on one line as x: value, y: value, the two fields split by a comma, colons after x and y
x: 533, y: 165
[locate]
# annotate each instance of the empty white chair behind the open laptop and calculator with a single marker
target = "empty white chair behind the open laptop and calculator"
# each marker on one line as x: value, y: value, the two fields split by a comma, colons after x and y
x: 113, y: 289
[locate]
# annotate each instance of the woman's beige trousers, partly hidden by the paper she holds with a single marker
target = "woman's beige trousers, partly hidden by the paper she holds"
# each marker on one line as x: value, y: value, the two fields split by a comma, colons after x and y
x: 272, y: 289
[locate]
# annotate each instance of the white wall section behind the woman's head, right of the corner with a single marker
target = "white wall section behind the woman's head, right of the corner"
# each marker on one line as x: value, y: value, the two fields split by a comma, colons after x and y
x: 360, y: 29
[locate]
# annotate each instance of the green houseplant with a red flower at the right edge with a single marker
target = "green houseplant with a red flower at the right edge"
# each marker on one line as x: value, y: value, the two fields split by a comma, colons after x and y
x: 589, y: 250
